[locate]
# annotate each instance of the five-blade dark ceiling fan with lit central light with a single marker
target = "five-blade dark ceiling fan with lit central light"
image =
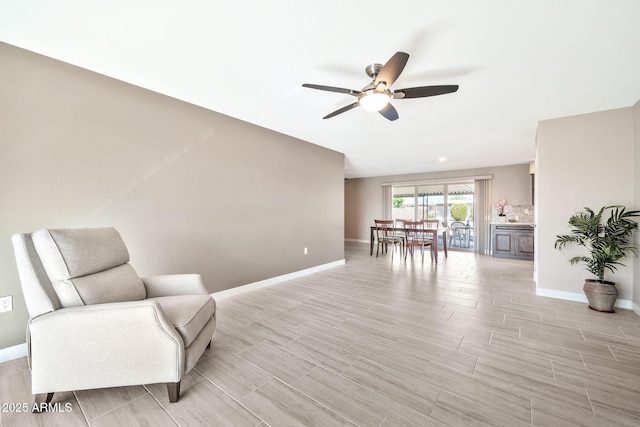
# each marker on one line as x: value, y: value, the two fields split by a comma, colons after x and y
x: 376, y: 95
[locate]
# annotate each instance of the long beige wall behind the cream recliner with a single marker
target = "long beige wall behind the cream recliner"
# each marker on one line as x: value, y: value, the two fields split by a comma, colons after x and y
x: 190, y: 190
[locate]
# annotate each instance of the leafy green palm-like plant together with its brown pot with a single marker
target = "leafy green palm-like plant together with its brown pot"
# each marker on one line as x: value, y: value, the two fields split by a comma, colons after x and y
x: 607, y: 242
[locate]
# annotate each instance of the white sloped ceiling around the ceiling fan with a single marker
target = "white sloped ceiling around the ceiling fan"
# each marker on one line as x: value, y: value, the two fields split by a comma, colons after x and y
x: 516, y: 63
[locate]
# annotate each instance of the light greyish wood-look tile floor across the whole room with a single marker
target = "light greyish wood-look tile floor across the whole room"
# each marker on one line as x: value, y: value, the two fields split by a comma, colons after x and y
x: 381, y: 342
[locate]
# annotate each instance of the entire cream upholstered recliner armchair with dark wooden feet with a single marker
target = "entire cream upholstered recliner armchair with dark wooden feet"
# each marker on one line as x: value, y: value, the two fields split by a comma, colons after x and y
x: 94, y: 323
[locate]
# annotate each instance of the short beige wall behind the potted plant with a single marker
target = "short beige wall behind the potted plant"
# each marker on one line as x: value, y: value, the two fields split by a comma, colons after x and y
x: 584, y: 160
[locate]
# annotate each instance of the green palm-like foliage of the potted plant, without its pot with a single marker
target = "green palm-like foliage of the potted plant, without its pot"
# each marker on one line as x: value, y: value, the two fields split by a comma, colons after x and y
x: 607, y: 241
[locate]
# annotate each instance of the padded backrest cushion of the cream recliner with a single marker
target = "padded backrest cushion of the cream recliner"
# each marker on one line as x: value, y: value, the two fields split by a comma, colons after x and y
x: 88, y: 266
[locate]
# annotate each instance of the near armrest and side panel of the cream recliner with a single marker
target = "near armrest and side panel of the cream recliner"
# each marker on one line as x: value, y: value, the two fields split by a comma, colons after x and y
x: 104, y: 345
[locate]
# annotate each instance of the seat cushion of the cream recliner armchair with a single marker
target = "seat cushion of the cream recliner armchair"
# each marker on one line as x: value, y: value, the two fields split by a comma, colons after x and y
x: 187, y: 313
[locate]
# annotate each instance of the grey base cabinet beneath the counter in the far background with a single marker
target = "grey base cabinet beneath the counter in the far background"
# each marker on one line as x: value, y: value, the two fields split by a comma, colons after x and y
x: 512, y: 241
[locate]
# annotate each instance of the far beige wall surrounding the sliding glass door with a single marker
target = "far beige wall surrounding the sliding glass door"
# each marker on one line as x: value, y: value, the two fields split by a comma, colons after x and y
x: 363, y: 196
